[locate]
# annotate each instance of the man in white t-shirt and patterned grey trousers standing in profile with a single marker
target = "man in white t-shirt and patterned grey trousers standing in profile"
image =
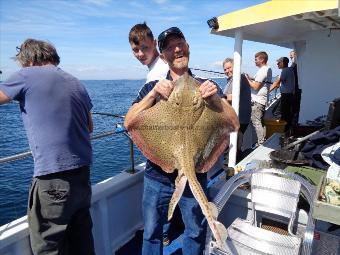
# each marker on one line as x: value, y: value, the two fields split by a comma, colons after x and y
x: 259, y: 92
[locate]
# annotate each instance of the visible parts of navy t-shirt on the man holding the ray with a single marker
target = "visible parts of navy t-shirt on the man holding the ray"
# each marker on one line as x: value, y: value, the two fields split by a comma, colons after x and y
x: 152, y: 170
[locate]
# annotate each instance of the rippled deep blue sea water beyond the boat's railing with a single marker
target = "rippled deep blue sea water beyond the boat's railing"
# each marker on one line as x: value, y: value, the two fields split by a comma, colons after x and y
x: 111, y: 155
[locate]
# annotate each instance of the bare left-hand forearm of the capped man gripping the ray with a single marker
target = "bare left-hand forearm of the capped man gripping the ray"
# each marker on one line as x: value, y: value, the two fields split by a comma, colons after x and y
x: 135, y: 109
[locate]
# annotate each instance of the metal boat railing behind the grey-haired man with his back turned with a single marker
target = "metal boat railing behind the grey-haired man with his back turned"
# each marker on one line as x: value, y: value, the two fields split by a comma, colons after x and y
x: 119, y: 129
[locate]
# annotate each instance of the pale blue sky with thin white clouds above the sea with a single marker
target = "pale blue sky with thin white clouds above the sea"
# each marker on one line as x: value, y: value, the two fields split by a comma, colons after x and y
x: 91, y: 36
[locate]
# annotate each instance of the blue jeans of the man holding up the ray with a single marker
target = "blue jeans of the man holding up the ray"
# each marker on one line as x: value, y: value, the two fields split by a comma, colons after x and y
x: 156, y: 200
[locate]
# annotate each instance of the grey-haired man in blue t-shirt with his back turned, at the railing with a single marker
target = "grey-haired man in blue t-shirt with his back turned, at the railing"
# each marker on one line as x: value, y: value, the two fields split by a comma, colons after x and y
x: 55, y: 109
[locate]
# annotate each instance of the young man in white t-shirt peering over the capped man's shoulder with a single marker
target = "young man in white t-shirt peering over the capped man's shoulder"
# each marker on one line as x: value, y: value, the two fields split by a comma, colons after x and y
x: 144, y: 48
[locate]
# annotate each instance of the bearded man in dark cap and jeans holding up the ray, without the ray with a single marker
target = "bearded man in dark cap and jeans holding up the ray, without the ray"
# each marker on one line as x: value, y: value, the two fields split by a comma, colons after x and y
x: 159, y: 185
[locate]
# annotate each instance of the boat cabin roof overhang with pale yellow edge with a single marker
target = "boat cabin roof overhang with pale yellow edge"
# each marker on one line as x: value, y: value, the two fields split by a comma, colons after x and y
x: 280, y: 22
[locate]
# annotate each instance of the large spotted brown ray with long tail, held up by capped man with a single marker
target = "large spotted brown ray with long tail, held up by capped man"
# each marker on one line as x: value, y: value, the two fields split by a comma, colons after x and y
x: 186, y: 134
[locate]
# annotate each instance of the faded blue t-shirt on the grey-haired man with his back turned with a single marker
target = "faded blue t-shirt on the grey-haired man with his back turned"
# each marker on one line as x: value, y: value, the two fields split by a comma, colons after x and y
x: 55, y: 110
